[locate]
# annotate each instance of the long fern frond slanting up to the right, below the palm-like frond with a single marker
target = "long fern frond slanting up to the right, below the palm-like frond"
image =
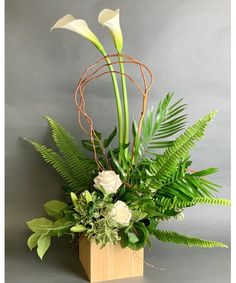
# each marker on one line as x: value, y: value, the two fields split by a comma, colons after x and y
x: 164, y: 166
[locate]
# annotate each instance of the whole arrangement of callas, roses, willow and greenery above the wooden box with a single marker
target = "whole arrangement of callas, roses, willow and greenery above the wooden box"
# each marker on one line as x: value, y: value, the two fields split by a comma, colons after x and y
x: 123, y: 192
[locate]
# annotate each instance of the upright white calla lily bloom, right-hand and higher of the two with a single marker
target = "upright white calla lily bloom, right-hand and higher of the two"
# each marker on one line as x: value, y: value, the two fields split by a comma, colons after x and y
x: 111, y: 20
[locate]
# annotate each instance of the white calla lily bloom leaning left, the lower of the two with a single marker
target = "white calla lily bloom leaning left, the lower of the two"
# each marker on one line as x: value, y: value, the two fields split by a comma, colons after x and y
x: 79, y: 26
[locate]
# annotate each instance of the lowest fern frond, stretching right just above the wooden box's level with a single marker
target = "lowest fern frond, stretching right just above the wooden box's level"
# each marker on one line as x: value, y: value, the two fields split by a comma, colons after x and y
x: 173, y: 237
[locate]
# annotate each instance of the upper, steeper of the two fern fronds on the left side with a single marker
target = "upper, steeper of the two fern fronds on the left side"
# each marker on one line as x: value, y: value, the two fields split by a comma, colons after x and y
x: 75, y: 159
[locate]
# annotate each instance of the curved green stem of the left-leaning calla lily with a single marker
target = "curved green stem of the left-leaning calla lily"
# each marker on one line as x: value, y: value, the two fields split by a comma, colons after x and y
x: 118, y: 106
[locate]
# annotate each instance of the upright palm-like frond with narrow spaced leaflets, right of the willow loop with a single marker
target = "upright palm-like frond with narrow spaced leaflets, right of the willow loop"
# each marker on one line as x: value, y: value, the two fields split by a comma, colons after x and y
x: 162, y: 123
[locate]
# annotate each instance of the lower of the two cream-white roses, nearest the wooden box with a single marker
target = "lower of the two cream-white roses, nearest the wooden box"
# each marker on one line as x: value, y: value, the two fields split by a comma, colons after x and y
x: 120, y: 213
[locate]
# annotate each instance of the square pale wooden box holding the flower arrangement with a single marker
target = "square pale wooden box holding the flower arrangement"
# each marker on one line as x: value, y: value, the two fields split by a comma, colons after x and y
x: 111, y: 262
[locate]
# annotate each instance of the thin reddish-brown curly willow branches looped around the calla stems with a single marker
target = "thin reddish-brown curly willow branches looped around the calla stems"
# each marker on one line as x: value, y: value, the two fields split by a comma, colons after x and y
x: 95, y: 71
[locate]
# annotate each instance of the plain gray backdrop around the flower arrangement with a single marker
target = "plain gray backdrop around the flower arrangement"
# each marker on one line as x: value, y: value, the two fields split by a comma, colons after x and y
x: 186, y: 45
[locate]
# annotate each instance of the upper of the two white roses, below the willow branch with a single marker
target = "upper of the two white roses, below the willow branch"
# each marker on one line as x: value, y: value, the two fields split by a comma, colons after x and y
x: 108, y: 180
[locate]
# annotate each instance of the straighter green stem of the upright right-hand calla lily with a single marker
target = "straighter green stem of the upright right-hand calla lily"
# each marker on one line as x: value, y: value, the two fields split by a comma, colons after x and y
x: 126, y: 106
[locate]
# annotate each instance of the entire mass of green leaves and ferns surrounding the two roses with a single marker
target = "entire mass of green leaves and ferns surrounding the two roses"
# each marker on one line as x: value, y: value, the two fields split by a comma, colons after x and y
x: 154, y: 188
